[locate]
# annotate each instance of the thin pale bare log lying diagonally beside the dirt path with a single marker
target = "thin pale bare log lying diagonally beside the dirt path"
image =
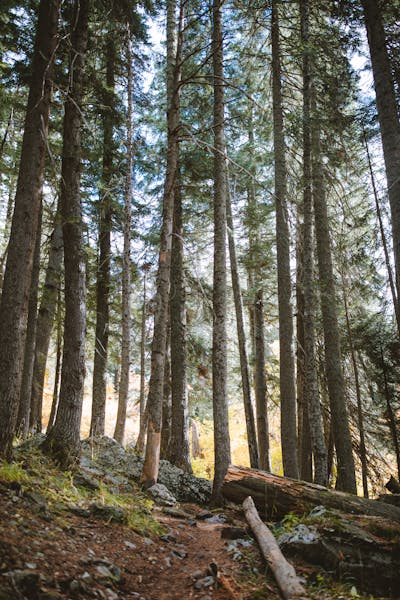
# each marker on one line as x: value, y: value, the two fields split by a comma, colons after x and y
x: 284, y: 573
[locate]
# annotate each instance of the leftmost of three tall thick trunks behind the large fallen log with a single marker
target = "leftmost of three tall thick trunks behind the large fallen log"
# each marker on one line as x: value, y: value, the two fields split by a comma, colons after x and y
x: 286, y: 358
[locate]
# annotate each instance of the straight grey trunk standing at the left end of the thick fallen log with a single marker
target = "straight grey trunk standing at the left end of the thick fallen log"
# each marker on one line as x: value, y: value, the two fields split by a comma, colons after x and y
x: 222, y: 452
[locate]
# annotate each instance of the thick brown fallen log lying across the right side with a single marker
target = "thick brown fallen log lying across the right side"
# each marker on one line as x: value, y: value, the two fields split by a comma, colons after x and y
x: 276, y: 496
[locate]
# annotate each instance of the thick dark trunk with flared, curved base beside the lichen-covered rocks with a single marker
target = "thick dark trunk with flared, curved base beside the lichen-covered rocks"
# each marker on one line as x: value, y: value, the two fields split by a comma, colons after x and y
x: 63, y: 440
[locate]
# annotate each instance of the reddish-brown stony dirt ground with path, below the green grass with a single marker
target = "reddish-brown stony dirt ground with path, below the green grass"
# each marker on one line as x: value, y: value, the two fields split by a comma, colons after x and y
x: 48, y: 558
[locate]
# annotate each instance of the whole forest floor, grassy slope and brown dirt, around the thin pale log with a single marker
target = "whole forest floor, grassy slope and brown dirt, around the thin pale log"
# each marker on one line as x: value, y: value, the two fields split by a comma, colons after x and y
x: 59, y: 541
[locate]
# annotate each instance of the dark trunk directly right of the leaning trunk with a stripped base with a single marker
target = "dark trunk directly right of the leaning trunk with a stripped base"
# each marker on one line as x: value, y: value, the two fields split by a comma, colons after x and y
x: 179, y: 449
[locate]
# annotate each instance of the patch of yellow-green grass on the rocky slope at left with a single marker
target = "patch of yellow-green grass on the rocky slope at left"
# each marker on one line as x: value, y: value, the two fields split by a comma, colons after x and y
x: 55, y: 493
